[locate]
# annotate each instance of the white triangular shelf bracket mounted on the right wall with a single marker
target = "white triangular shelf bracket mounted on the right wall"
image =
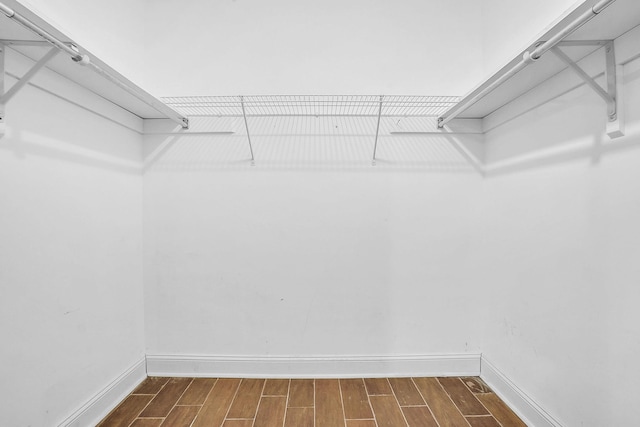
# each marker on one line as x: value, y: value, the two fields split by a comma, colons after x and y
x: 610, y: 94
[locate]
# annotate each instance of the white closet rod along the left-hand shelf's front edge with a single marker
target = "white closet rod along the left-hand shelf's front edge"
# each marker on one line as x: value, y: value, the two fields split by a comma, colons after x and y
x: 82, y: 59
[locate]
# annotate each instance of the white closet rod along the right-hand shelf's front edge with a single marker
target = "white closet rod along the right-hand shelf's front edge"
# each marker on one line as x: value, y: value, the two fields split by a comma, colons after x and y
x: 527, y: 58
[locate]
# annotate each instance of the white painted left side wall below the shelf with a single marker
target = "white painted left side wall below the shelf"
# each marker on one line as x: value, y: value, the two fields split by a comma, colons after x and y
x: 71, y: 297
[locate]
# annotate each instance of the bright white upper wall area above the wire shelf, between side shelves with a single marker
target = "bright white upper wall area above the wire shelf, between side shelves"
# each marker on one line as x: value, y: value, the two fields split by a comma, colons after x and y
x: 230, y: 47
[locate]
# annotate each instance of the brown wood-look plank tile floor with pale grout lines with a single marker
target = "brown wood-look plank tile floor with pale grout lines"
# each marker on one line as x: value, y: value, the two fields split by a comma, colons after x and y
x: 380, y: 402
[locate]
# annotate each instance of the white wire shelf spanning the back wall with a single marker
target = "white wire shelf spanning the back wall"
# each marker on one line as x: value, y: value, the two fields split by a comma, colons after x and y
x: 312, y: 105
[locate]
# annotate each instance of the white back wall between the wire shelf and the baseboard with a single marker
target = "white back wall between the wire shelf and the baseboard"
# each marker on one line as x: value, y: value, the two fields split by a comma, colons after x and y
x: 322, y: 255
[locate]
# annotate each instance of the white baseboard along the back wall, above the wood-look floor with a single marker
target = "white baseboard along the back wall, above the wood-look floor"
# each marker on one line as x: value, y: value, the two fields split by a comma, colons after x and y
x: 313, y: 367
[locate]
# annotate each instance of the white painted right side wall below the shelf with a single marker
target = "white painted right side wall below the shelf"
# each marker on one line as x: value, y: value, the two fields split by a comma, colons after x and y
x: 561, y: 267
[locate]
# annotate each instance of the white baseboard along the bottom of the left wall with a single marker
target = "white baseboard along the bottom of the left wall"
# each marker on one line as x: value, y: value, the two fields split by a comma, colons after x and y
x: 102, y: 403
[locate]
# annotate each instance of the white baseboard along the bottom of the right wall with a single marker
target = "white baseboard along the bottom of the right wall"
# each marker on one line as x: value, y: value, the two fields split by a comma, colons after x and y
x: 525, y: 407
